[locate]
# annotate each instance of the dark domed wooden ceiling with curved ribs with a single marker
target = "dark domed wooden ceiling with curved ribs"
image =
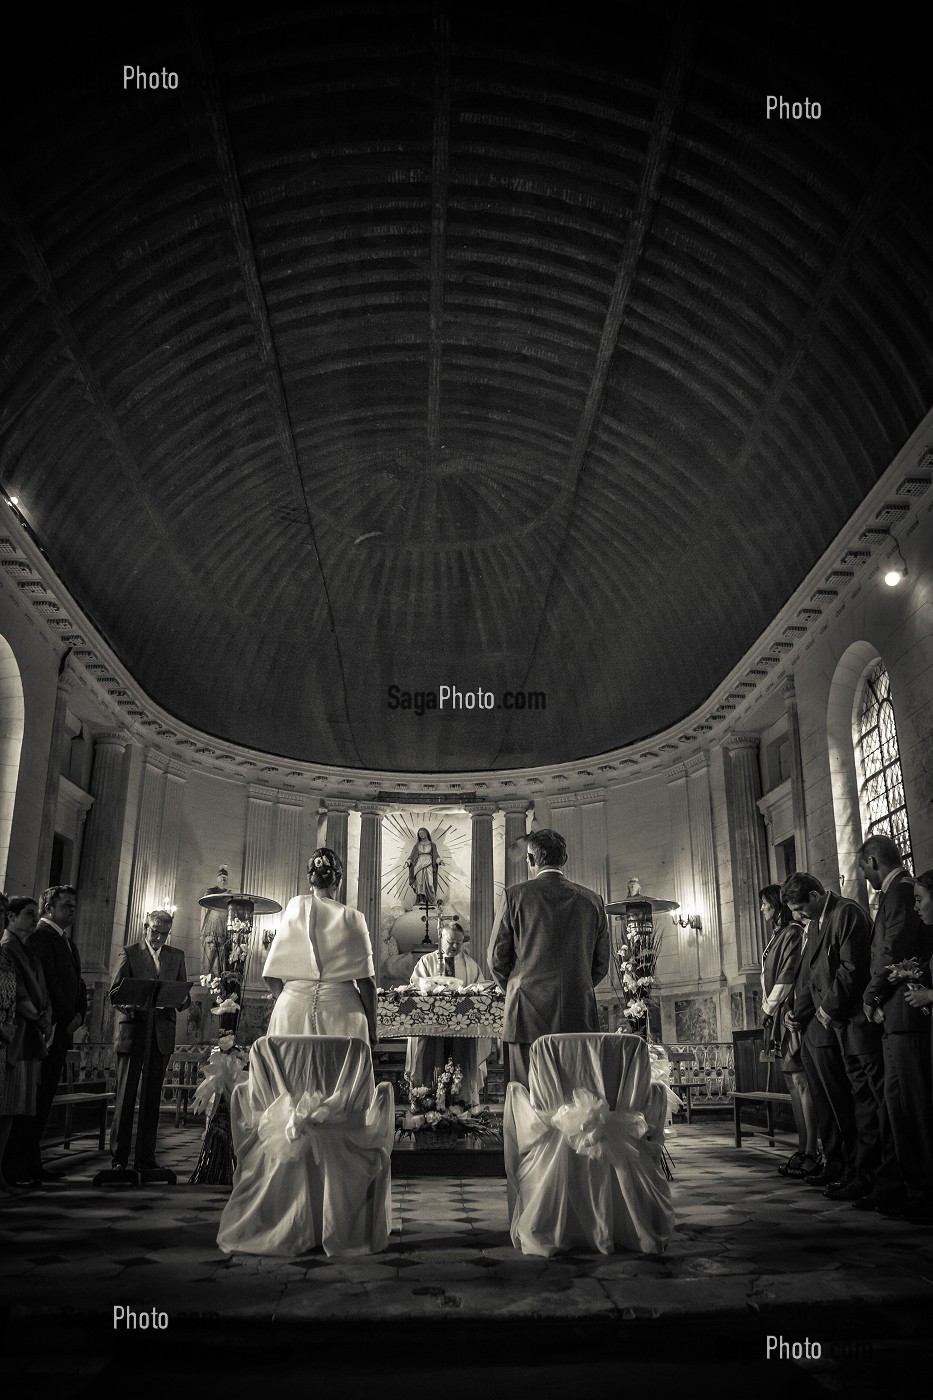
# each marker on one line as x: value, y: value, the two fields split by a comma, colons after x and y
x: 420, y: 346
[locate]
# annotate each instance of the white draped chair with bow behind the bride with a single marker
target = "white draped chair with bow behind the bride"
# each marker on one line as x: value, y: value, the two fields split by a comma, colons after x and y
x: 313, y: 1137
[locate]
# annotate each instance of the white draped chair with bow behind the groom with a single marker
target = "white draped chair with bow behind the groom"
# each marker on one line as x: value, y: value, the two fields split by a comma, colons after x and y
x: 583, y: 1149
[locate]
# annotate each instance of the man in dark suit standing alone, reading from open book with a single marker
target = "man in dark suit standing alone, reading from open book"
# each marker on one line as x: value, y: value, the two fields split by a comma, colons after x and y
x: 152, y: 960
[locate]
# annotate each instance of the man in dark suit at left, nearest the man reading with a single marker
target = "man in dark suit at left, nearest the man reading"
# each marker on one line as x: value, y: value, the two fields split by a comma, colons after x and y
x: 57, y: 953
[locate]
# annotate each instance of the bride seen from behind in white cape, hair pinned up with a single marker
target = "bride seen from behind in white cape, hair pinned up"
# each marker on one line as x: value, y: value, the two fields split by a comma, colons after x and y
x: 320, y: 965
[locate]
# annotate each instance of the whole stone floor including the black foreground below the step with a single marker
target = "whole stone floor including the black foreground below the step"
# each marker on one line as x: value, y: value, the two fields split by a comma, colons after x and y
x: 753, y: 1256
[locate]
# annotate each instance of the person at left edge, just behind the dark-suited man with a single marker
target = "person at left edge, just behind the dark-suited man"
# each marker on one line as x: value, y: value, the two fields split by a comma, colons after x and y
x: 33, y: 1021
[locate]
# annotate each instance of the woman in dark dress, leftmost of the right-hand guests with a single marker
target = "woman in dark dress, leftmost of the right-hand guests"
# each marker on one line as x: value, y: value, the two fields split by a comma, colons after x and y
x: 780, y: 968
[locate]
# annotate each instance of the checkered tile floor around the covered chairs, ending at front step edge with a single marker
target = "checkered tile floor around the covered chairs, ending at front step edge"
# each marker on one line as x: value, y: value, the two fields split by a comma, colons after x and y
x: 746, y: 1240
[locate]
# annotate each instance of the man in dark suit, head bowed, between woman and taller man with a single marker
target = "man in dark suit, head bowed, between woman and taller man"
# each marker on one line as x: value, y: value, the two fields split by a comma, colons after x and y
x: 841, y: 1051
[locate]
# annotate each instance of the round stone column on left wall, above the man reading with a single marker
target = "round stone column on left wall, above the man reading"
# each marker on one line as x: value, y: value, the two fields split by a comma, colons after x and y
x: 102, y: 855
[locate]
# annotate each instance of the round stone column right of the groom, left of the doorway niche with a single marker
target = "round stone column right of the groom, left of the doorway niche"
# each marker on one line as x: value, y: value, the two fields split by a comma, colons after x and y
x: 747, y: 843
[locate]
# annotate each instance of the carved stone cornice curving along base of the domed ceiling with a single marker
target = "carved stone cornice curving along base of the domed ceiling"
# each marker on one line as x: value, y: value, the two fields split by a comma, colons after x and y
x: 857, y: 556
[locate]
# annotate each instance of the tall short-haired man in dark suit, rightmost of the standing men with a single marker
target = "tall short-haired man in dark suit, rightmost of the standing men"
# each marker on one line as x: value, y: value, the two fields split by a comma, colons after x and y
x: 899, y: 934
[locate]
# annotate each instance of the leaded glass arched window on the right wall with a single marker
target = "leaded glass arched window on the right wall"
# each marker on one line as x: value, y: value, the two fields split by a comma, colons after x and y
x: 879, y: 759
